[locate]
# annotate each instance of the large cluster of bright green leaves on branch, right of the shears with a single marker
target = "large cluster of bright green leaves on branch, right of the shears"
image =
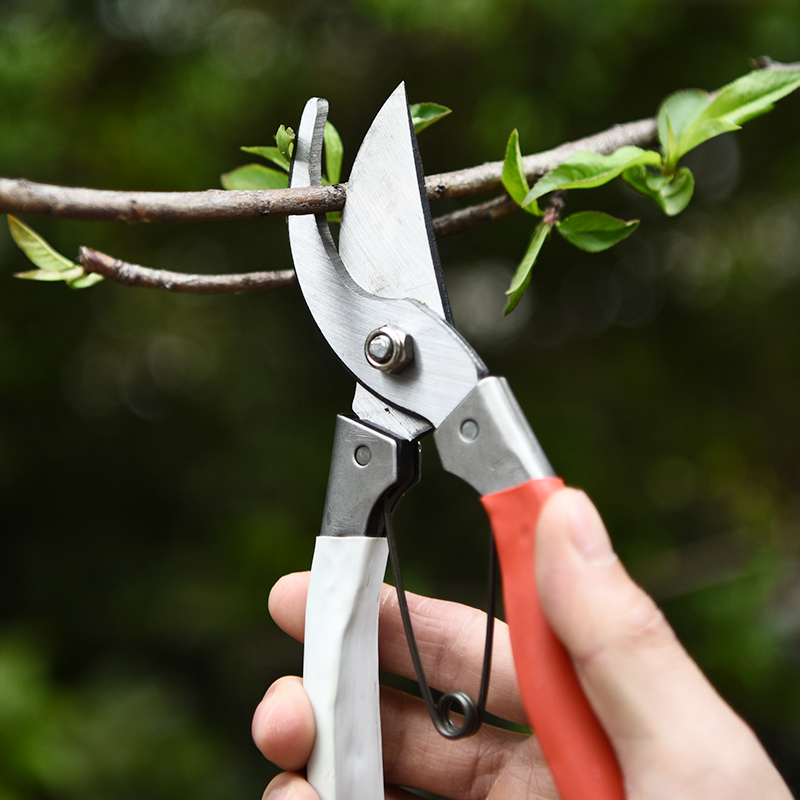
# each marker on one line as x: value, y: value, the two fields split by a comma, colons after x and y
x: 686, y: 119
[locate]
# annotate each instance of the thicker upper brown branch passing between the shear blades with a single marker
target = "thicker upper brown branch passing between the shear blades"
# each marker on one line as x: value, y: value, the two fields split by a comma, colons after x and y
x: 19, y: 196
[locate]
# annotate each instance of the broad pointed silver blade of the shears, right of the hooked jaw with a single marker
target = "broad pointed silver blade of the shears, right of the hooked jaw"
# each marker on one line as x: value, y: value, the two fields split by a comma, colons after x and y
x: 386, y: 240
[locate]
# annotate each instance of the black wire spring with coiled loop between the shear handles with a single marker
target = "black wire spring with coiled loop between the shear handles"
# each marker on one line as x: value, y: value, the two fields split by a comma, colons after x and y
x: 458, y: 701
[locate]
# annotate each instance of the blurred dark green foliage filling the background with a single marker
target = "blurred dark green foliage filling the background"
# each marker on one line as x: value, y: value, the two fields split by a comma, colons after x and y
x: 163, y: 459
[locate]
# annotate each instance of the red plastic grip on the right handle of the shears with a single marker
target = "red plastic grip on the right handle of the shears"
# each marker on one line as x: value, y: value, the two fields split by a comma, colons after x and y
x: 578, y: 752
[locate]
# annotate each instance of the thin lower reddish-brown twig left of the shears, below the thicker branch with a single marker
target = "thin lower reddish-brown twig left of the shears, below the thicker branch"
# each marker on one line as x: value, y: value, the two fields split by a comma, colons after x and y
x: 145, y: 277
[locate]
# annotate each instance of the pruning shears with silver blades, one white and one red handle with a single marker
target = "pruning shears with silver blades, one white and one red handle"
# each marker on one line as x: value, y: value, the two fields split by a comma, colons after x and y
x: 380, y: 302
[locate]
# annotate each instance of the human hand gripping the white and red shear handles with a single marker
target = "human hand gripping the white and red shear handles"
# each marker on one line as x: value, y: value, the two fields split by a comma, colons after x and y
x: 673, y: 734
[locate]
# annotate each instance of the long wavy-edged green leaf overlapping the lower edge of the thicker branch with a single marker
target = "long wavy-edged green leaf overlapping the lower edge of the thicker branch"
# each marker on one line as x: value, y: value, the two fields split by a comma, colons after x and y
x: 585, y: 170
